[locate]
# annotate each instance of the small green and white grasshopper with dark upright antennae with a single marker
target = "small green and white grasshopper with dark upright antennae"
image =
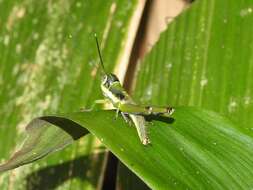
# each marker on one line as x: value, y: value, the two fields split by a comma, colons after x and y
x: 115, y: 94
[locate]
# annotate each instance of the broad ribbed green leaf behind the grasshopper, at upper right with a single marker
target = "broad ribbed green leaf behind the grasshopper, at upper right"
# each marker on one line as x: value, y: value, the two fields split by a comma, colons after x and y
x: 204, y: 59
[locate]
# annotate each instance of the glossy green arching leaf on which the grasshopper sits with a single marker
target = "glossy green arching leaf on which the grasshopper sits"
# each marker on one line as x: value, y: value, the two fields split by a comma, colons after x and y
x: 196, y: 149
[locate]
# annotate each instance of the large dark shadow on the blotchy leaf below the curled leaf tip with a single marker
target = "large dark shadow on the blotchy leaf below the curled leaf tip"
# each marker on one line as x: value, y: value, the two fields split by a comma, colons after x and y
x: 53, y: 176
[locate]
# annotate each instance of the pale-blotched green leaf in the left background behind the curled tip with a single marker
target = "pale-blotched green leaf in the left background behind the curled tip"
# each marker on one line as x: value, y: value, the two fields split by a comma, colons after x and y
x: 48, y: 62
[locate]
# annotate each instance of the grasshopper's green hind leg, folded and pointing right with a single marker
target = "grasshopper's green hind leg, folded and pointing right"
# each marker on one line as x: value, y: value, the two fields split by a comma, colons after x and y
x: 145, y: 110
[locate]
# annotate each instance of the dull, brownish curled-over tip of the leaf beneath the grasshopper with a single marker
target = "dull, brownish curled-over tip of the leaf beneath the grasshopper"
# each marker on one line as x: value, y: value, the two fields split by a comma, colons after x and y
x: 43, y: 139
